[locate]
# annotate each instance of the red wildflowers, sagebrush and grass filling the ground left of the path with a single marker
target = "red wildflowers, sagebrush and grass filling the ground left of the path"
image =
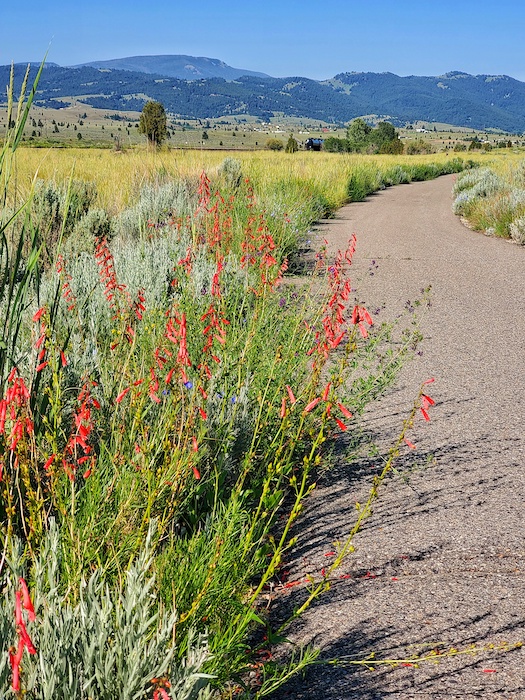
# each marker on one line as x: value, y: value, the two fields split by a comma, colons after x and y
x: 168, y: 392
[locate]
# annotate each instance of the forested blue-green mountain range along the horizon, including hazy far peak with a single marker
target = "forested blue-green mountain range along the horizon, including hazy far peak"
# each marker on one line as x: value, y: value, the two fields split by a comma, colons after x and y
x: 204, y: 88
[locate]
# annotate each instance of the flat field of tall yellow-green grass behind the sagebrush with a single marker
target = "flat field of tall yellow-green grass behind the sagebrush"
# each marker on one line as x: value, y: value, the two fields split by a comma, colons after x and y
x: 119, y: 175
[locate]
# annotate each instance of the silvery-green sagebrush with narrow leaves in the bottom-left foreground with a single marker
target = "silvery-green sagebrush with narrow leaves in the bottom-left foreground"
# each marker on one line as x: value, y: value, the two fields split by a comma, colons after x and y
x: 109, y: 643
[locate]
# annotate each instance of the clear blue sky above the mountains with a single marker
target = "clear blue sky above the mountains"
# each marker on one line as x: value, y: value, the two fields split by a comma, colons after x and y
x: 282, y: 38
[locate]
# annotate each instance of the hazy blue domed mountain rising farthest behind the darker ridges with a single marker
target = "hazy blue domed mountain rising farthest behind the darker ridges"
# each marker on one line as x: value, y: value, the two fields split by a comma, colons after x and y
x: 182, y: 67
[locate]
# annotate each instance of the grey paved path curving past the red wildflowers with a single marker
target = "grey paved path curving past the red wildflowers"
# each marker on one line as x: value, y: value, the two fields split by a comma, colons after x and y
x: 441, y: 563
